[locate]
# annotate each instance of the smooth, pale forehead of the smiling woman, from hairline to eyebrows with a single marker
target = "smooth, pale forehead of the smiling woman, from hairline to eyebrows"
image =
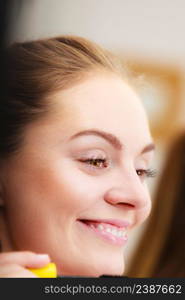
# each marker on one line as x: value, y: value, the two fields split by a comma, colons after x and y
x: 104, y: 101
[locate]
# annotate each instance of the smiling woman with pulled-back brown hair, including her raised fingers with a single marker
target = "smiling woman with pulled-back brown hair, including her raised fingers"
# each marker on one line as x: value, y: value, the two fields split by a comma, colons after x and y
x: 75, y: 153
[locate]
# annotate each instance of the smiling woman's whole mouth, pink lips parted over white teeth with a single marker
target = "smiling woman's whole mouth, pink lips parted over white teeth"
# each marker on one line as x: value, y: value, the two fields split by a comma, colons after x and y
x: 113, y: 231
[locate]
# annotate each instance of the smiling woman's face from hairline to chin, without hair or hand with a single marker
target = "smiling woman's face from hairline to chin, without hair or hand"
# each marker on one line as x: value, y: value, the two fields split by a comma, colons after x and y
x: 79, y: 182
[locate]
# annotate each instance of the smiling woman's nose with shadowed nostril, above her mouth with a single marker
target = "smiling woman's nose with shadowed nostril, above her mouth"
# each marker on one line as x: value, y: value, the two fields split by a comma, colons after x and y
x: 130, y: 193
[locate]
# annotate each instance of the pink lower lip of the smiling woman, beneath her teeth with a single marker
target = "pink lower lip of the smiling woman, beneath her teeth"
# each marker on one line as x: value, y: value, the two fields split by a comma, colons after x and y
x: 106, y: 236
